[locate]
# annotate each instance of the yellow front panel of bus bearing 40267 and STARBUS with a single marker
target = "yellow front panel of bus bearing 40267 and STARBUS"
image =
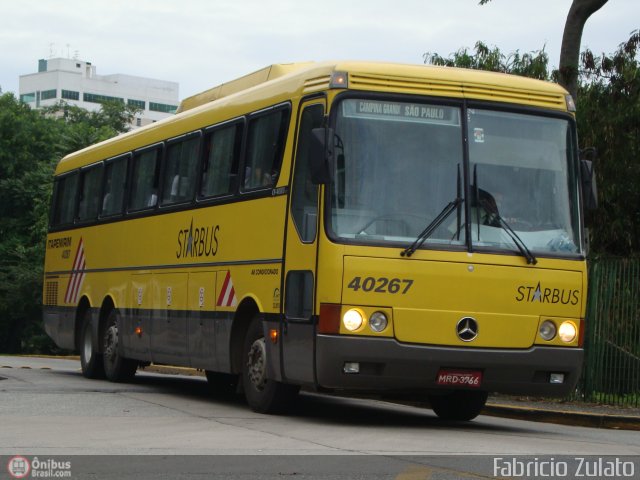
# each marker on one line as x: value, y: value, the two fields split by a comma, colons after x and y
x: 508, y: 300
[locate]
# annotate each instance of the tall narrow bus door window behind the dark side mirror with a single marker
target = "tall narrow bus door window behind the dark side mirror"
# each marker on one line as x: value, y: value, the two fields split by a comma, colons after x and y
x: 304, y: 195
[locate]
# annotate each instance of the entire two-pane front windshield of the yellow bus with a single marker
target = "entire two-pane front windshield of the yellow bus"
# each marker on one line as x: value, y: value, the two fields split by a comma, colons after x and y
x: 399, y: 164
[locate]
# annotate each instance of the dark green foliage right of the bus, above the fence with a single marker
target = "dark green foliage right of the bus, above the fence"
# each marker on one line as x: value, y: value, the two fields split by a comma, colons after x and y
x: 609, y: 120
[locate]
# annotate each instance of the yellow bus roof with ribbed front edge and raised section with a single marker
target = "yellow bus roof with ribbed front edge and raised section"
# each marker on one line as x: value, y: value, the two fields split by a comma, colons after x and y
x: 280, y: 82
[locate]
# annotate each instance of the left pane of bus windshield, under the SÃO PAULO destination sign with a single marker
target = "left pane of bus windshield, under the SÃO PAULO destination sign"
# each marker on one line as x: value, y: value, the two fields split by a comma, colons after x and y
x: 397, y: 165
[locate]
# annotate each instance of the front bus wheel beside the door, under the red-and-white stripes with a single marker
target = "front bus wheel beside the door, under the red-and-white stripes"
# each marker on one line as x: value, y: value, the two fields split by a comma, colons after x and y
x: 263, y: 394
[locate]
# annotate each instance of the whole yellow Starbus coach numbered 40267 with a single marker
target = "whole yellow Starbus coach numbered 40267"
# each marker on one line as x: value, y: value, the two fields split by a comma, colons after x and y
x: 339, y: 226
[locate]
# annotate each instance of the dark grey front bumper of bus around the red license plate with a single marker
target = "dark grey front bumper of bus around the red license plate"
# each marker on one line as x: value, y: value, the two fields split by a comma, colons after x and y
x: 387, y: 365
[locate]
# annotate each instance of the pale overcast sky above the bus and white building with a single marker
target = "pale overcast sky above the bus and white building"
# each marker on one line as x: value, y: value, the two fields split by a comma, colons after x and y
x: 202, y: 43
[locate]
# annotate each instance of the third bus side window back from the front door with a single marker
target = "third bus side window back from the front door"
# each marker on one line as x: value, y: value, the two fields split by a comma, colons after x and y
x: 181, y: 171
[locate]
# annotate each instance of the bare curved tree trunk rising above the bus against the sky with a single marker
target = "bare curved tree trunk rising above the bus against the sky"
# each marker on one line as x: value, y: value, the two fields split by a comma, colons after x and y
x: 579, y: 12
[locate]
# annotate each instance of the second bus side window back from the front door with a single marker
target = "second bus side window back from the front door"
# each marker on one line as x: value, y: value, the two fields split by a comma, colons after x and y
x: 222, y: 149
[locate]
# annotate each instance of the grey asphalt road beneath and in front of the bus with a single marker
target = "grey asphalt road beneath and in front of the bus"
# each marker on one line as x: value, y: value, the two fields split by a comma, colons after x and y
x: 166, y: 426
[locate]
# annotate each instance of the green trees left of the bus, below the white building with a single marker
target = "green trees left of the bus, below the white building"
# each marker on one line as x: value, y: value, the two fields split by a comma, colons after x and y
x: 31, y: 143
